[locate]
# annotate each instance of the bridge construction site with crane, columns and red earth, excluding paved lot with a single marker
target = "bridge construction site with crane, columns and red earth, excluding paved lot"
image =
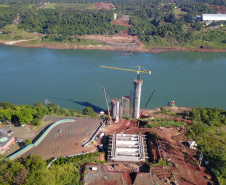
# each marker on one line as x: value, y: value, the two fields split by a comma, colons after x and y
x: 136, y: 154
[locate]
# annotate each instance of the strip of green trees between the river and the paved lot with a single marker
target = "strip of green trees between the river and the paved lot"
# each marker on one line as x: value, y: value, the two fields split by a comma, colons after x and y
x: 33, y: 114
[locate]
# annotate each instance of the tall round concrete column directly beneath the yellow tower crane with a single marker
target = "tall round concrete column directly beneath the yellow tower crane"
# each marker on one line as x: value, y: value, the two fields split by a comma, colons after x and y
x: 136, y: 98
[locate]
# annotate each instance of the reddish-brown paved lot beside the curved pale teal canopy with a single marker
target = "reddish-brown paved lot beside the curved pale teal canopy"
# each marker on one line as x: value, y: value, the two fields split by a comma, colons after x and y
x: 69, y: 141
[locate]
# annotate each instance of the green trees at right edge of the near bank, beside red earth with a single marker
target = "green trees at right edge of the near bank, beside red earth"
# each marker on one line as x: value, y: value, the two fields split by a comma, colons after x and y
x: 209, y: 130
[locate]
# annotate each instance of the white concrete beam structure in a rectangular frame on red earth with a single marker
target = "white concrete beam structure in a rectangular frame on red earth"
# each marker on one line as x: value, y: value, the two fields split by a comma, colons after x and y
x: 127, y: 148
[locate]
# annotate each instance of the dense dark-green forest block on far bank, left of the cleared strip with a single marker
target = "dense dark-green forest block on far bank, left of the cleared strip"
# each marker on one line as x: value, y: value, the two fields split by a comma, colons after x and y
x: 67, y: 22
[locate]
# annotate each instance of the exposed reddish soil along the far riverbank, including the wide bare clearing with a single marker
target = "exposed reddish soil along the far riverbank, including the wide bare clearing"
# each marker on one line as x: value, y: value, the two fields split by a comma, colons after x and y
x: 122, y: 42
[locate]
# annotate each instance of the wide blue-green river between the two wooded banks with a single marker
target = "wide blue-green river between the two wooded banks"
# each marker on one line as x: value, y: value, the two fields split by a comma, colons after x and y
x: 69, y: 78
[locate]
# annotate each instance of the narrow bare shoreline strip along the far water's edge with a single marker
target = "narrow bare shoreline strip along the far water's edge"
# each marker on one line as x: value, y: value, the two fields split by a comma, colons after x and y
x: 140, y: 48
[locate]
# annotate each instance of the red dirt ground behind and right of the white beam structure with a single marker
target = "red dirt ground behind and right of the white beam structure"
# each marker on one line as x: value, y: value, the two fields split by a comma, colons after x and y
x: 184, y: 160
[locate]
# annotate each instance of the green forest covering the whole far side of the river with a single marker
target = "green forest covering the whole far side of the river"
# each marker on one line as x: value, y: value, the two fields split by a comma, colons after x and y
x: 156, y: 22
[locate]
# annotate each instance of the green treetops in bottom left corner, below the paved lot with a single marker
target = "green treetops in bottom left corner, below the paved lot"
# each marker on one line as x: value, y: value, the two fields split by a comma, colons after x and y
x: 33, y: 170
